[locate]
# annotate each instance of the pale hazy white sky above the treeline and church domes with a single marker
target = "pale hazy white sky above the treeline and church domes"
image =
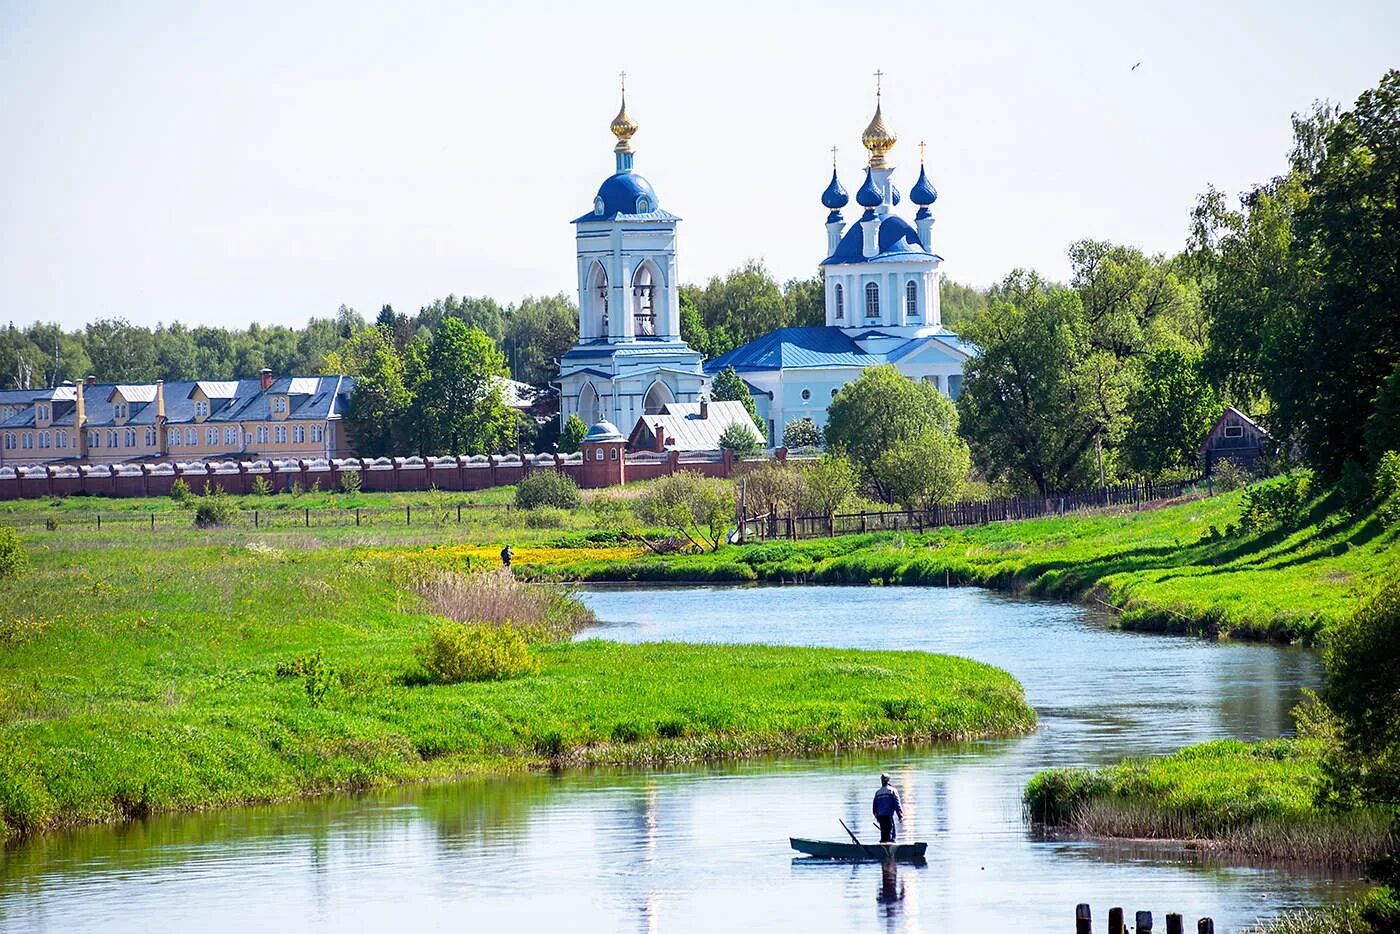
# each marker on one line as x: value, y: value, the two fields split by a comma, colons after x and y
x: 271, y: 162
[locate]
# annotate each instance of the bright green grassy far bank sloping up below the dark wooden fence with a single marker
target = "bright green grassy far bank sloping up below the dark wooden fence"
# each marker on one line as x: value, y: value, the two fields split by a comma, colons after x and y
x: 1170, y: 569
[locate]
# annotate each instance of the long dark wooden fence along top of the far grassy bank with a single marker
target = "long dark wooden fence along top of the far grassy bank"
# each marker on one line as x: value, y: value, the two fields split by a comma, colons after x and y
x: 775, y: 526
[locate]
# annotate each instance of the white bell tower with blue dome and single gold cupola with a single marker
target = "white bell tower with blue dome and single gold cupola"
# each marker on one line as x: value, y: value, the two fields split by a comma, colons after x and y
x: 629, y: 359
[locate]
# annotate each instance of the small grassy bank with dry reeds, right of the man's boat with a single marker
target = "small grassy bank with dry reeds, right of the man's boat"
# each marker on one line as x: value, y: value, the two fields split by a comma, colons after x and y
x: 1249, y: 799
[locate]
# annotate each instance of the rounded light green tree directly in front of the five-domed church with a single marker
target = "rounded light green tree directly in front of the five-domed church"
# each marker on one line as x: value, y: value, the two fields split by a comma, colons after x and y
x: 878, y: 417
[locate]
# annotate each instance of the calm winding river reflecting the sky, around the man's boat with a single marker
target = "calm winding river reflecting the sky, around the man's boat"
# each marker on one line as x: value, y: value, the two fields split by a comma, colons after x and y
x: 705, y: 849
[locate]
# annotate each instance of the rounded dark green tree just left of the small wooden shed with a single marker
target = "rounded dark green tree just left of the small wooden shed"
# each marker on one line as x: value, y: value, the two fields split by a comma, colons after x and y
x: 1170, y: 414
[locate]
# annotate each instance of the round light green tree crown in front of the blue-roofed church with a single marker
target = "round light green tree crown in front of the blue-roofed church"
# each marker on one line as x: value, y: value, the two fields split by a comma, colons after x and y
x: 902, y: 436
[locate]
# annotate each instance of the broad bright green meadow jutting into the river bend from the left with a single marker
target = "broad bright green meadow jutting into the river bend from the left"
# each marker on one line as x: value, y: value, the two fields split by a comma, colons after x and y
x: 138, y: 681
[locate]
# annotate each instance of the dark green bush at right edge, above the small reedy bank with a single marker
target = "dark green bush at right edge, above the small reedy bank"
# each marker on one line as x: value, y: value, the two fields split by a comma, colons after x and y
x: 1364, y: 694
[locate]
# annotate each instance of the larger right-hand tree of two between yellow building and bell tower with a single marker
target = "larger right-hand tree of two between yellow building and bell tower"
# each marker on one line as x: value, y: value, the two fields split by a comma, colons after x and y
x: 463, y: 393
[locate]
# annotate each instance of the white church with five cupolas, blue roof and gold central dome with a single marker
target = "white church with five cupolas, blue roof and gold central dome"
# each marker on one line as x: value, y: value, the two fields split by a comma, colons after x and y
x: 881, y: 303
